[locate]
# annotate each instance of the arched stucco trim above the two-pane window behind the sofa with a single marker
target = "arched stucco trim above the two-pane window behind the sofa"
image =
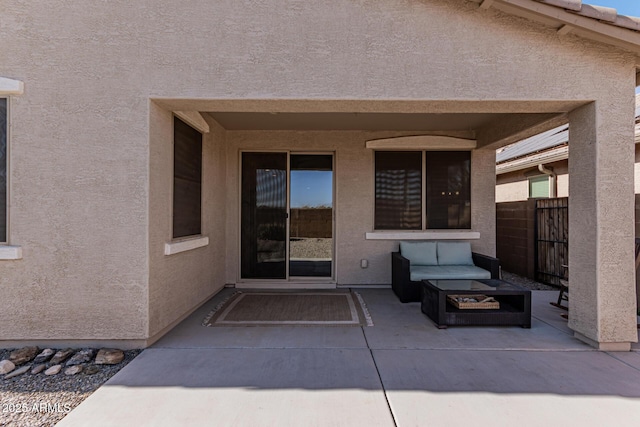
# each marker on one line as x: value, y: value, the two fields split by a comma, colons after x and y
x: 422, y: 142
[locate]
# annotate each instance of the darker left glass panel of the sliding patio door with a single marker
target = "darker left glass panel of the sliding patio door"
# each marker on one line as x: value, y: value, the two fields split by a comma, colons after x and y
x: 263, y: 235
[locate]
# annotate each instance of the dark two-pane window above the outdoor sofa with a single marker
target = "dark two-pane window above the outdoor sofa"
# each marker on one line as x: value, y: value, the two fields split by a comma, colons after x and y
x: 410, y: 183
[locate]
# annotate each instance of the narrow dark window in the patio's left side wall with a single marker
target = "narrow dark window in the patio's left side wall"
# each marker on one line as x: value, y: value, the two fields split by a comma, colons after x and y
x: 187, y: 180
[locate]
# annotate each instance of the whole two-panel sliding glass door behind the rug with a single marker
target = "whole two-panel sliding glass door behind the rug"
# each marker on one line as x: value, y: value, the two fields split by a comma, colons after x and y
x: 286, y: 216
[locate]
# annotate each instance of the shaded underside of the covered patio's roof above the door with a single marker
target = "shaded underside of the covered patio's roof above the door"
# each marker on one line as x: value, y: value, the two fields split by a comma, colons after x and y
x: 494, y: 123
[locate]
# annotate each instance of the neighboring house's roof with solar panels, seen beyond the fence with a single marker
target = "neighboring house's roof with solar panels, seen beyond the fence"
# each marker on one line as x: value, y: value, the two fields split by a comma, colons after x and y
x: 546, y: 147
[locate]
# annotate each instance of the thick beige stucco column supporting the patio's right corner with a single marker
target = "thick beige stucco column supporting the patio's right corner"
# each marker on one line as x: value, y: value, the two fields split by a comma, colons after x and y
x: 602, y: 303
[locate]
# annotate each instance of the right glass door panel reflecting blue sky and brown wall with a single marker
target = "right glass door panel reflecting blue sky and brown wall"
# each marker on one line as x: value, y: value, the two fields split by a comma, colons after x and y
x: 311, y: 215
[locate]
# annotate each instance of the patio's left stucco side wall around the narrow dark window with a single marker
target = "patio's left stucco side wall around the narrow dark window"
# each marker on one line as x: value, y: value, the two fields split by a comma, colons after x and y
x: 182, y: 281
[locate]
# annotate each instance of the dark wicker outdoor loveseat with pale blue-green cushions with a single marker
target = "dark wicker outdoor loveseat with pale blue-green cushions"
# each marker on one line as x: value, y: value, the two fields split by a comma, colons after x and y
x: 420, y: 260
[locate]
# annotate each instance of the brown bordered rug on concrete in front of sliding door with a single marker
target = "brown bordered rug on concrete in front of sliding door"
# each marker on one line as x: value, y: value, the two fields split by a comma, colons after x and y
x: 311, y: 308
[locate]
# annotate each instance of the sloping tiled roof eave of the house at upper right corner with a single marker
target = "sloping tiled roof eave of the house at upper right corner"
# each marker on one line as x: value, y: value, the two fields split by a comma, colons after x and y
x: 598, y: 23
